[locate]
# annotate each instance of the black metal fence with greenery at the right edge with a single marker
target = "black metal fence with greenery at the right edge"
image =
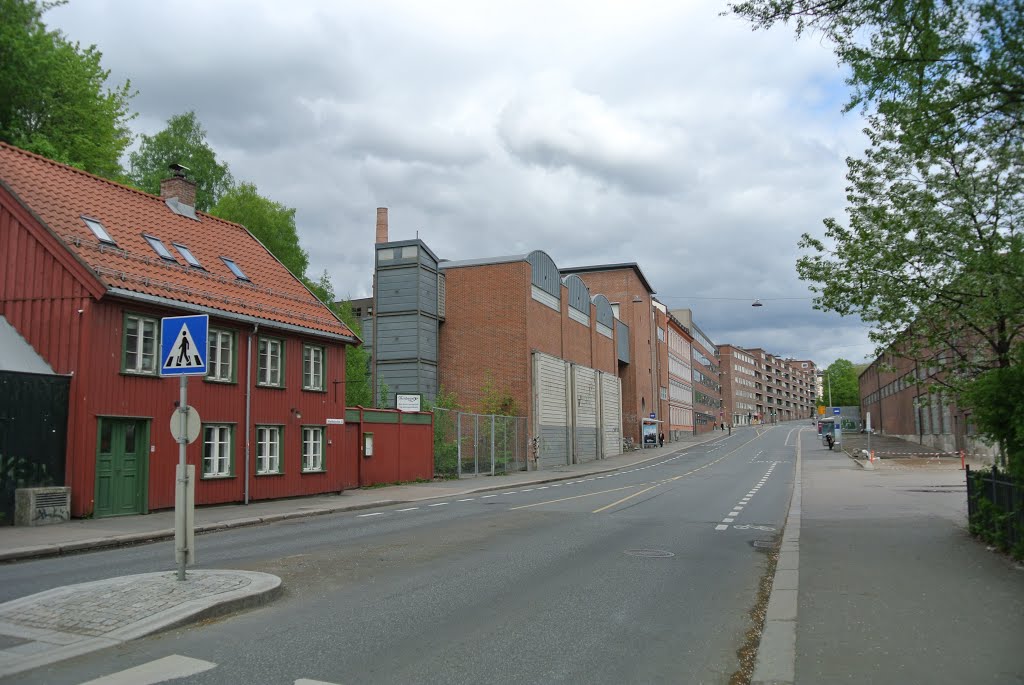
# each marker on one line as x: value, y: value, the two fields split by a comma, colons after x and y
x: 996, y: 509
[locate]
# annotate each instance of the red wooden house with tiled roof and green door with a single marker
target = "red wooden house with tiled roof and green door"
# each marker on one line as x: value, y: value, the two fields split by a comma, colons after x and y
x: 88, y: 270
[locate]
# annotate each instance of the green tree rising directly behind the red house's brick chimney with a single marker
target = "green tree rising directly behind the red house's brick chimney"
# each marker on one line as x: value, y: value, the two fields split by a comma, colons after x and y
x: 184, y: 142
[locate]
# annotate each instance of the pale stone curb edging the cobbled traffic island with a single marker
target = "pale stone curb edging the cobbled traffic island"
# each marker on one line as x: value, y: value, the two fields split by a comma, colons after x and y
x: 264, y: 589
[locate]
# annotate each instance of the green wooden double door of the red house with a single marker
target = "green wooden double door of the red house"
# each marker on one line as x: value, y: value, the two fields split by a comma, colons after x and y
x: 121, y: 454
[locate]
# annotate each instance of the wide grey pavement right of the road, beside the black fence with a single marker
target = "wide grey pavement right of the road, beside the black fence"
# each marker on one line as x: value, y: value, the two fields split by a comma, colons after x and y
x: 892, y: 588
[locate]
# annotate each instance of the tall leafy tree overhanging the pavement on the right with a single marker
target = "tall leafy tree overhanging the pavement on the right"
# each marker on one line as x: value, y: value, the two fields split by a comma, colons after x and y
x: 932, y: 255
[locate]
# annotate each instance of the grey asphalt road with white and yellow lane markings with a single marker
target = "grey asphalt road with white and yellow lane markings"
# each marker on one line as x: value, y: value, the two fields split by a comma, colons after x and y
x: 646, y: 575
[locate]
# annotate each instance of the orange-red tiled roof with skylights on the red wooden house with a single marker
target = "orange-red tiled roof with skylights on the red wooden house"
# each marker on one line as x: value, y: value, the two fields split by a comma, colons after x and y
x: 61, y: 196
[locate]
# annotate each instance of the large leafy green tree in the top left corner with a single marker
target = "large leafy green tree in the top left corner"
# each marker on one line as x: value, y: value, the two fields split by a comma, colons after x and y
x: 55, y: 99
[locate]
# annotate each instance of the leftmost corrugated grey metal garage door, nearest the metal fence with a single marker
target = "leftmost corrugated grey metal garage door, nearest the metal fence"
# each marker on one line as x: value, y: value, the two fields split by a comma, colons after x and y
x: 551, y: 411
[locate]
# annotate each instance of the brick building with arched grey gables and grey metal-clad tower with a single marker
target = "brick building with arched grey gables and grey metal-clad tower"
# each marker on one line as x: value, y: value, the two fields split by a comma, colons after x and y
x: 509, y: 327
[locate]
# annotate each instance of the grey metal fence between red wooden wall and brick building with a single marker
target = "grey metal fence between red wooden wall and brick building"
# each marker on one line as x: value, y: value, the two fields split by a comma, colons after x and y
x: 475, y: 445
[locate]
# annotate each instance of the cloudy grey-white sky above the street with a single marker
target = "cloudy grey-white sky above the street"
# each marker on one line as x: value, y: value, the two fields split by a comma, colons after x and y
x: 601, y: 133
